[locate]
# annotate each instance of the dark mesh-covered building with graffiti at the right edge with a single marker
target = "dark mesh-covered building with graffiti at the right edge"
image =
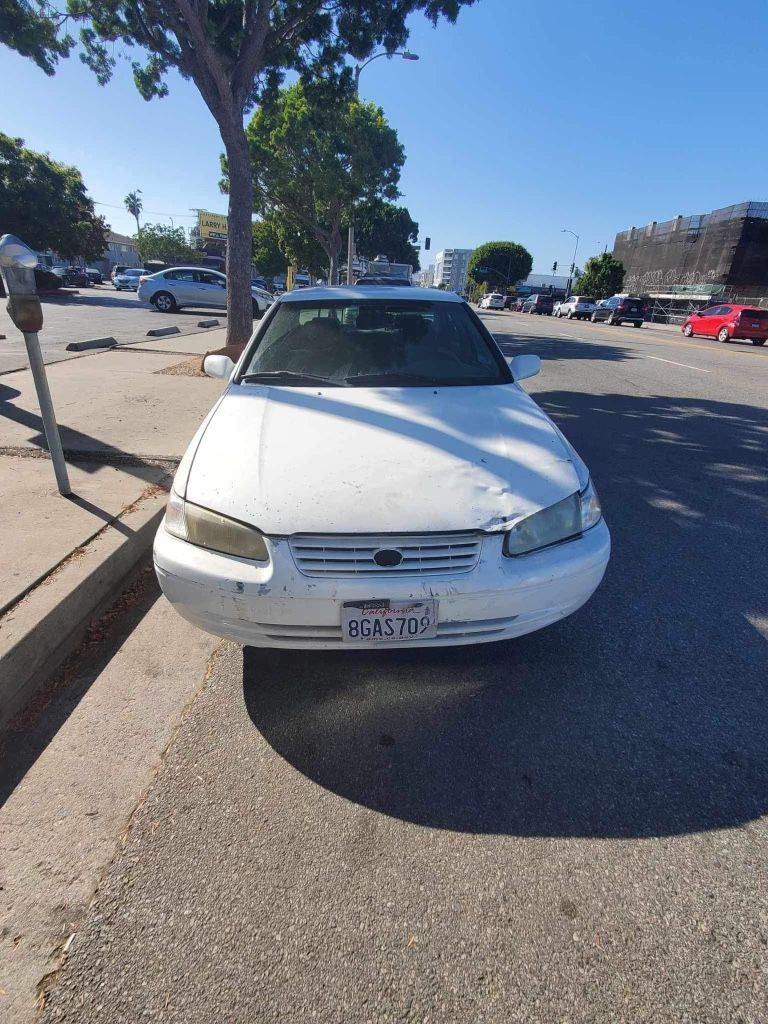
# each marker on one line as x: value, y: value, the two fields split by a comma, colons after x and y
x: 723, y: 253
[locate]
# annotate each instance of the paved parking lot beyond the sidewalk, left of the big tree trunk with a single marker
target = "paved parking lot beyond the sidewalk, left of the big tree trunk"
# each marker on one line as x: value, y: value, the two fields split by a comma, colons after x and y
x: 95, y: 313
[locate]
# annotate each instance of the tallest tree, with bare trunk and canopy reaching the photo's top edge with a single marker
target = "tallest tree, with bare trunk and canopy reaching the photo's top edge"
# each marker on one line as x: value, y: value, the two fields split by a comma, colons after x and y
x: 235, y: 52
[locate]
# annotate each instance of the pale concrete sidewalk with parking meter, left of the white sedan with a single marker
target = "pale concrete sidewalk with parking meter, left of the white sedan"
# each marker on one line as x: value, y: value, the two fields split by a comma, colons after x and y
x: 126, y: 417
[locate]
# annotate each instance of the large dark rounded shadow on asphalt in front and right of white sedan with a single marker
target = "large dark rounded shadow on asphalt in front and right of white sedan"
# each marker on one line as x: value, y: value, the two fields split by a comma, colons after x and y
x: 645, y: 714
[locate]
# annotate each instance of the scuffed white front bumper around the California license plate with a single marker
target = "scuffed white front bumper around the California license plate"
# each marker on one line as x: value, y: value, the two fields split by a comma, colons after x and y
x: 276, y: 606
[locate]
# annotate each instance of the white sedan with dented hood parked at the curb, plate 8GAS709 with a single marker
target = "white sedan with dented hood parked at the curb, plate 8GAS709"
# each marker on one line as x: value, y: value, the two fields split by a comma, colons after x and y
x: 374, y: 476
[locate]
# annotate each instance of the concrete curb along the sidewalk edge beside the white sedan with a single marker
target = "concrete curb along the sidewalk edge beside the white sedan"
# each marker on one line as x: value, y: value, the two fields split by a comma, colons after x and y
x: 47, y: 626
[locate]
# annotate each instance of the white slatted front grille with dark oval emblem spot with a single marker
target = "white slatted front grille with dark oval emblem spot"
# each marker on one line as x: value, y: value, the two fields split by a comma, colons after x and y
x: 430, y: 554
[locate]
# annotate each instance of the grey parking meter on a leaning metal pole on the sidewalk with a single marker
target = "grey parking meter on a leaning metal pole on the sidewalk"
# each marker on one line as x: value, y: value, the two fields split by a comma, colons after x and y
x: 18, y: 265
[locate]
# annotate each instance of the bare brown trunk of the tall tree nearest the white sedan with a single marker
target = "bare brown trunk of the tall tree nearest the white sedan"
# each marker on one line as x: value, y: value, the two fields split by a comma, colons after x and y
x: 239, y: 243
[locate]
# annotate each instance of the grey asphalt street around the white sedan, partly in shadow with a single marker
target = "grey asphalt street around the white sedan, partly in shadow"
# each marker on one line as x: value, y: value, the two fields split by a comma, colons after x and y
x: 567, y: 828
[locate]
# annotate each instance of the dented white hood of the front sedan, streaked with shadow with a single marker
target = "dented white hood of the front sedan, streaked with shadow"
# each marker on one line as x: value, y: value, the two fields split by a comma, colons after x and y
x: 377, y: 460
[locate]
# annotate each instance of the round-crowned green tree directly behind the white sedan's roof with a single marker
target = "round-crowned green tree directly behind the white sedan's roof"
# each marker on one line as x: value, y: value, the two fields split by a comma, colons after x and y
x: 317, y: 155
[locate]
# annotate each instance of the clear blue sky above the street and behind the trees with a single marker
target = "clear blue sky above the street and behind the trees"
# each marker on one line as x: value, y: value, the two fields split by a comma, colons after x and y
x: 518, y: 122
